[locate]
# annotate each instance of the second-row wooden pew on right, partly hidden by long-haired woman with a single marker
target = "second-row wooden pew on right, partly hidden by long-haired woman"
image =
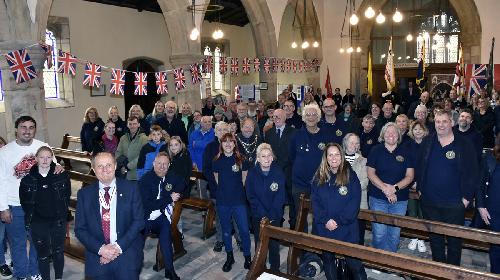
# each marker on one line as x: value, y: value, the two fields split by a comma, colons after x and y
x: 473, y: 238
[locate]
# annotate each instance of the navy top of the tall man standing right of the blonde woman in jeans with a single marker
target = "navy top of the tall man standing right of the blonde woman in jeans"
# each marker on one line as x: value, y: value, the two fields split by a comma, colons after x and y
x: 442, y: 181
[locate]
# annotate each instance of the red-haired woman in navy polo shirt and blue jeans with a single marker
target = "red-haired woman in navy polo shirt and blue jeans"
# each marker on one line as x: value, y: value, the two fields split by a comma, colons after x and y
x: 230, y: 173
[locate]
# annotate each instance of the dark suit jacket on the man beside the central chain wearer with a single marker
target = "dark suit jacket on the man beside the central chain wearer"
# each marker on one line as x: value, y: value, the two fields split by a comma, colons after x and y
x: 280, y: 147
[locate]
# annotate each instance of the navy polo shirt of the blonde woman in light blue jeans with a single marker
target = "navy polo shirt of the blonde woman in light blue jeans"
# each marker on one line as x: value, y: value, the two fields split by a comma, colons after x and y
x: 390, y: 168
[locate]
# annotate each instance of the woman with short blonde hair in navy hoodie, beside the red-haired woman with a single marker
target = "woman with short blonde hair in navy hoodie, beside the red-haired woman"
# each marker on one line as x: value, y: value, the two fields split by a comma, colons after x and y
x: 265, y: 187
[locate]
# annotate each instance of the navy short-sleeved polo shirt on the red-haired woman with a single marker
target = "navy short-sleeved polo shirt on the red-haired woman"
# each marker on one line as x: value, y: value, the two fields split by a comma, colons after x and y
x: 230, y: 191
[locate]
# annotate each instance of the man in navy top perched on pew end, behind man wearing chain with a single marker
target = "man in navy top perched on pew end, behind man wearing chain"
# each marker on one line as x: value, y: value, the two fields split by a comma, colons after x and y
x: 160, y: 189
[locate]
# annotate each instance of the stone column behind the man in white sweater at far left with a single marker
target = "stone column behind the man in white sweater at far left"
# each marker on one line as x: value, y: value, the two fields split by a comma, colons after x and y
x: 27, y: 98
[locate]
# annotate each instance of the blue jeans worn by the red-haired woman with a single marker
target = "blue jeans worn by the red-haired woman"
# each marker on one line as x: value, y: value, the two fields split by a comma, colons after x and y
x: 239, y: 214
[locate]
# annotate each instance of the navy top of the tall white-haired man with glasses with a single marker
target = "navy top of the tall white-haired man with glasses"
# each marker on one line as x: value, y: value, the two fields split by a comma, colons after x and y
x: 305, y: 151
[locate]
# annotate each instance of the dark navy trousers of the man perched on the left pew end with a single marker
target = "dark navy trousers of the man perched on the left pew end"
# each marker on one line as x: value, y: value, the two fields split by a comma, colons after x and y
x: 162, y: 227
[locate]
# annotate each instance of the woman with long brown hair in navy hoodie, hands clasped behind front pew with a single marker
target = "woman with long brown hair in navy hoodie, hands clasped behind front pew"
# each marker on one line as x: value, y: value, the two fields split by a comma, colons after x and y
x: 335, y: 199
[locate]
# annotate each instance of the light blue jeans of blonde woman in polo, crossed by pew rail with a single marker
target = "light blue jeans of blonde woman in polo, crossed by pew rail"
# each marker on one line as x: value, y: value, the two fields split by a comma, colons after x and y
x: 386, y: 237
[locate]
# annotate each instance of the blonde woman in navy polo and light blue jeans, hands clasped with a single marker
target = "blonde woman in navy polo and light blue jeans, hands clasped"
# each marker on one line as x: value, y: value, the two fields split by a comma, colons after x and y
x: 390, y: 170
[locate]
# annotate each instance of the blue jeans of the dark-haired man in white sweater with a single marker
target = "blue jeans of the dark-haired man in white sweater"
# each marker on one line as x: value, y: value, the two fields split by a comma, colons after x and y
x: 24, y: 264
